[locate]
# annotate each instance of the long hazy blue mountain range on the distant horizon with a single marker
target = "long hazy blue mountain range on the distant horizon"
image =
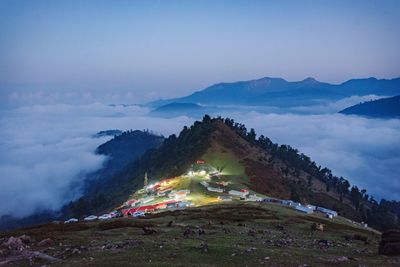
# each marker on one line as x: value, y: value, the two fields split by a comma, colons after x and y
x: 281, y: 93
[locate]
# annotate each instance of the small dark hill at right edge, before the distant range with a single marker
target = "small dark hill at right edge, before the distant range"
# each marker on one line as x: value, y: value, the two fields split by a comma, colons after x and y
x: 380, y: 108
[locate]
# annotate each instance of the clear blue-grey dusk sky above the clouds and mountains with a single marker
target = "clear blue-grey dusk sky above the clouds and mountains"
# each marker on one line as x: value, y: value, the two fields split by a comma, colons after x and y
x: 158, y: 49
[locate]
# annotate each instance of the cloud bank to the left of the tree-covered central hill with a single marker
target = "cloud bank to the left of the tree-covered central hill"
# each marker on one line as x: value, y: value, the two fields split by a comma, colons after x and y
x: 46, y: 150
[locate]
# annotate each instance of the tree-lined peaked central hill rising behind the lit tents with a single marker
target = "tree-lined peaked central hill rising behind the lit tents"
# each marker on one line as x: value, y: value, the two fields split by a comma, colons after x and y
x: 245, y: 162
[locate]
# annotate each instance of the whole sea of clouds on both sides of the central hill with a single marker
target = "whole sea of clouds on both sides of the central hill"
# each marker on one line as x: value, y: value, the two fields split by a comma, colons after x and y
x: 46, y: 150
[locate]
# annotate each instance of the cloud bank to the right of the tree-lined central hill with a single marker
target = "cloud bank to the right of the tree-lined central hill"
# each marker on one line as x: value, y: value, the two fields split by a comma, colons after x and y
x: 364, y: 151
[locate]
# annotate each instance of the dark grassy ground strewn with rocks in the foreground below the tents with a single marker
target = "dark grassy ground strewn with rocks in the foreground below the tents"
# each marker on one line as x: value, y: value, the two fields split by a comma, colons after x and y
x: 221, y: 235
